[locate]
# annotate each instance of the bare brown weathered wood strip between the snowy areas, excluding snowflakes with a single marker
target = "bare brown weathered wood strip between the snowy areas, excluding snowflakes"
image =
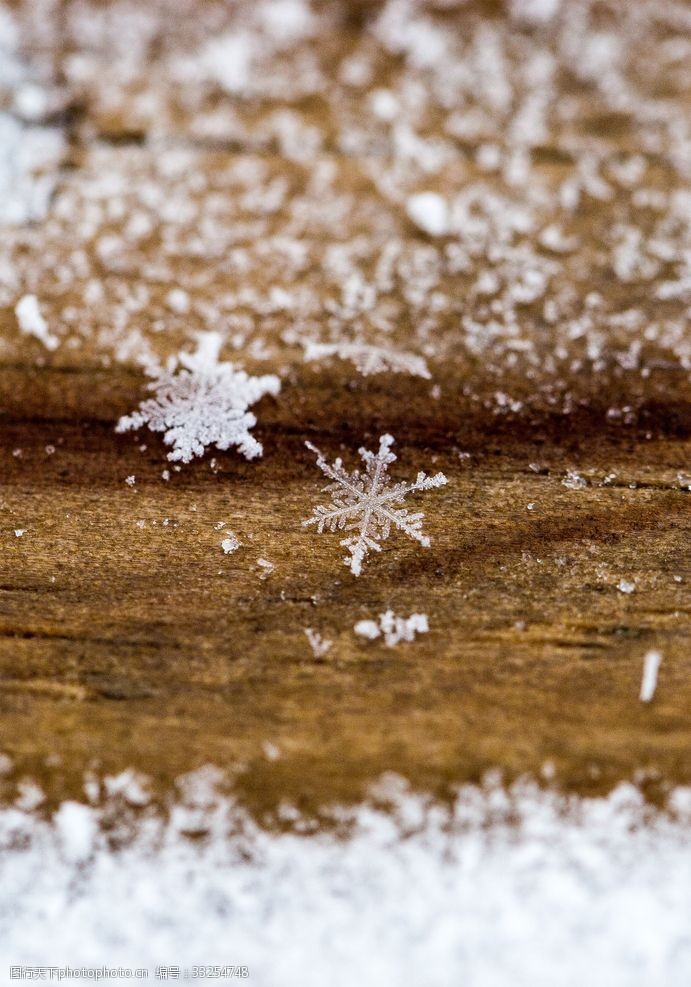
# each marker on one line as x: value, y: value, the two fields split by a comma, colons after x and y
x: 128, y: 639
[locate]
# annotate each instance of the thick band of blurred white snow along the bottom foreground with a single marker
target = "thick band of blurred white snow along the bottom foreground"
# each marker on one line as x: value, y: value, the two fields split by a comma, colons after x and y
x: 515, y: 888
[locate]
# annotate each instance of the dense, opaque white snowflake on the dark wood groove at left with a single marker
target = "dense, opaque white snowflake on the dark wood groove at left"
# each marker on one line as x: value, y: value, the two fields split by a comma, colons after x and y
x: 201, y: 402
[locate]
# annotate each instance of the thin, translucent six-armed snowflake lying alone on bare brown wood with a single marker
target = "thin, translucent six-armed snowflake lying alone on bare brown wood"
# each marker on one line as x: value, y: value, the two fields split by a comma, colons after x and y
x: 365, y: 503
